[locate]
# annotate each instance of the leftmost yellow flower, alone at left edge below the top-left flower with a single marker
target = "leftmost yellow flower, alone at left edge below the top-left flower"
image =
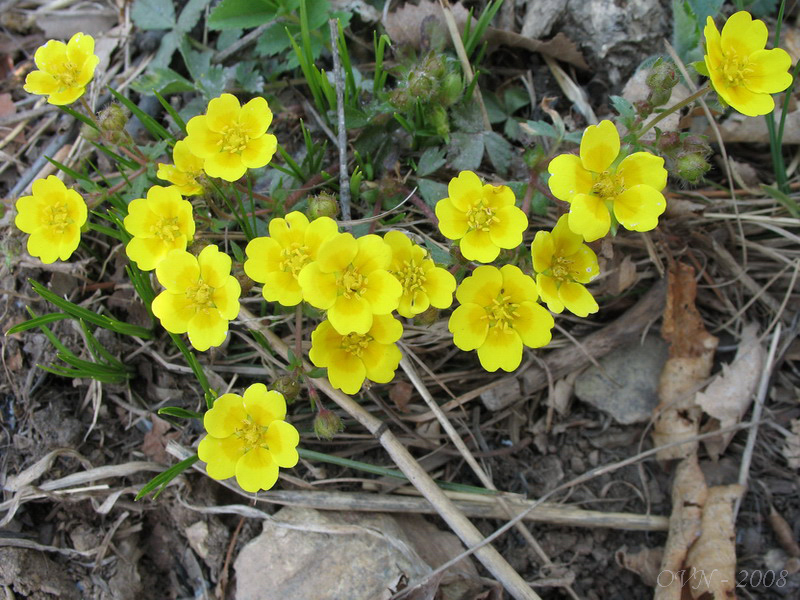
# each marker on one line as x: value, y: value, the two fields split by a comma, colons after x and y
x: 53, y: 216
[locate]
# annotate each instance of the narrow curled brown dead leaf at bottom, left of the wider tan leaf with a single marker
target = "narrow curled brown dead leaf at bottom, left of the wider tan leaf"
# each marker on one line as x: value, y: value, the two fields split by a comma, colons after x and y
x: 689, y: 494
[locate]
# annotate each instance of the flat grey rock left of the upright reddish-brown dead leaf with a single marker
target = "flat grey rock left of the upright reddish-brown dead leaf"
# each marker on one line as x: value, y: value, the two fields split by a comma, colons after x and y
x: 626, y: 385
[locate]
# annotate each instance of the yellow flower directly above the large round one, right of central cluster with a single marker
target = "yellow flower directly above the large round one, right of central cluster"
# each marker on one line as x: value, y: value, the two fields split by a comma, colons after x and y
x: 483, y: 217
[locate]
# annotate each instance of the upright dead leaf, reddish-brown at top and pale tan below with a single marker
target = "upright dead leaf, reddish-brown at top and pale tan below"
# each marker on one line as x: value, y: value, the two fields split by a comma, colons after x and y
x: 691, y: 355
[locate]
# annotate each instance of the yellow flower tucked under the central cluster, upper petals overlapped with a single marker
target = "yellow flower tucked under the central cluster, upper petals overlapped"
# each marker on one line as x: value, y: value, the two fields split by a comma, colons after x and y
x: 354, y: 357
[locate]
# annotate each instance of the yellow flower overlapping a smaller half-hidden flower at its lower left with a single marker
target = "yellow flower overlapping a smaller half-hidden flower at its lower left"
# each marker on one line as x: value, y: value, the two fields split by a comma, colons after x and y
x: 231, y: 138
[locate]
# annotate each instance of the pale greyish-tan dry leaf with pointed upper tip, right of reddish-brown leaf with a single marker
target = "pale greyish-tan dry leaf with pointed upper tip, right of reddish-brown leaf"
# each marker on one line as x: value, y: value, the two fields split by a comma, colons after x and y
x: 729, y: 396
